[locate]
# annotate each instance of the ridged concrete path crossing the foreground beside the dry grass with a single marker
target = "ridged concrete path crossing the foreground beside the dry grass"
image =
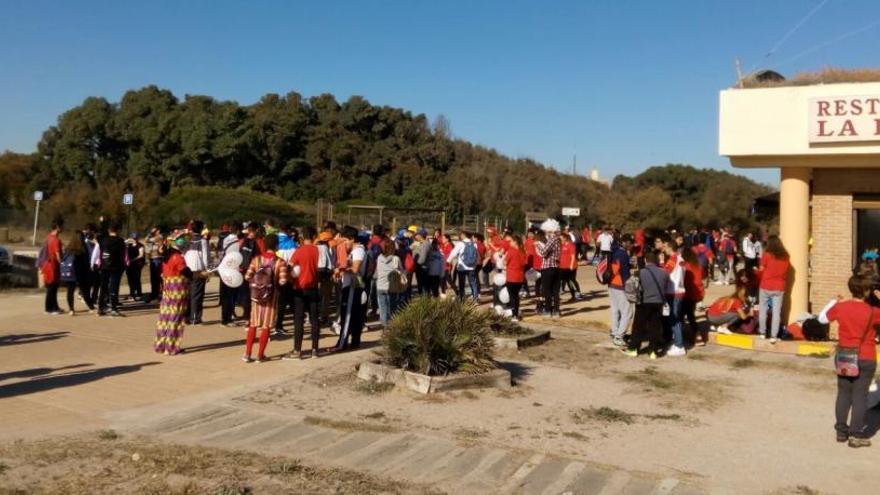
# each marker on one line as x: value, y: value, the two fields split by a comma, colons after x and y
x: 454, y: 467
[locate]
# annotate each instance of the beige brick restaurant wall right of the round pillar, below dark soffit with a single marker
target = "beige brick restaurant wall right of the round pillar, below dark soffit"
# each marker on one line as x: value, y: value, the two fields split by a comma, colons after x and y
x: 831, y: 258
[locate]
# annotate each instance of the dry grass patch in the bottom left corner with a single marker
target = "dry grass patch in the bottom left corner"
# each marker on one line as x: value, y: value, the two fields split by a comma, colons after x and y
x: 83, y: 465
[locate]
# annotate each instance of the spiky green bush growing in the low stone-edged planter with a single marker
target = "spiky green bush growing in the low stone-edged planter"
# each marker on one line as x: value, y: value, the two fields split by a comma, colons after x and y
x: 439, y: 336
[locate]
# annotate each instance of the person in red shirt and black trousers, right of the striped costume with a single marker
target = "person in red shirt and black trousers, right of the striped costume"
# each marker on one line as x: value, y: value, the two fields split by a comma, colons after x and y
x: 304, y: 273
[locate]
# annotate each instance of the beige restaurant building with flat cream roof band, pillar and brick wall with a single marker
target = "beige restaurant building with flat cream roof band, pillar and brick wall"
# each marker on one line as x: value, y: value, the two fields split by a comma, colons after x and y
x: 825, y: 139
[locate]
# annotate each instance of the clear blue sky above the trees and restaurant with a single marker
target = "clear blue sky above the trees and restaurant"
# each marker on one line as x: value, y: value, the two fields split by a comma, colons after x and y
x: 624, y: 84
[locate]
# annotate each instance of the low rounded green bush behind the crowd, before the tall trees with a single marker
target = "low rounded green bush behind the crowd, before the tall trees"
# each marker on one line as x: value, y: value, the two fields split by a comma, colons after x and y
x: 217, y: 205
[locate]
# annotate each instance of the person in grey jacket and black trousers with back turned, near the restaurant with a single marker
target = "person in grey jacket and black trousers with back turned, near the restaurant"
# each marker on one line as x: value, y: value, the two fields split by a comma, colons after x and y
x: 648, y: 318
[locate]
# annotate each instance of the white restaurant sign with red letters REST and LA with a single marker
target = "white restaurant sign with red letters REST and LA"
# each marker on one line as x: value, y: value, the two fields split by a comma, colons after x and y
x: 842, y: 119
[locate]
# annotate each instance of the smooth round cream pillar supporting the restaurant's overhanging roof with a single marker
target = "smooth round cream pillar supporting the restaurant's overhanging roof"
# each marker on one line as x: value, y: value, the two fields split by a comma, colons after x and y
x: 794, y: 230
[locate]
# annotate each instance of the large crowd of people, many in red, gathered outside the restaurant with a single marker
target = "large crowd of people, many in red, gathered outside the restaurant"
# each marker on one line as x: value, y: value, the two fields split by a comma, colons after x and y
x: 340, y: 277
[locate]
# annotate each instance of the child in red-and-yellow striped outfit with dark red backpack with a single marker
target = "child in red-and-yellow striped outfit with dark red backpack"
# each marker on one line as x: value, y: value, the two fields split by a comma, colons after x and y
x: 265, y: 275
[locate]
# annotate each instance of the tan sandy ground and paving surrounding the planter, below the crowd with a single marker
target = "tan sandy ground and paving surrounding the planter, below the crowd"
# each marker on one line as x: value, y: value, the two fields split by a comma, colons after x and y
x: 730, y: 421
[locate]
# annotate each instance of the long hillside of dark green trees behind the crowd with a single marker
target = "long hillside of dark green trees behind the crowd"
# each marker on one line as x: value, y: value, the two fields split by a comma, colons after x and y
x: 300, y: 150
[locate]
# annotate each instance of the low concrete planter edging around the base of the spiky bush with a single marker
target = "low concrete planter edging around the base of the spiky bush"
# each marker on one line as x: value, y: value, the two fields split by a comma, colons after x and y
x: 424, y: 384
